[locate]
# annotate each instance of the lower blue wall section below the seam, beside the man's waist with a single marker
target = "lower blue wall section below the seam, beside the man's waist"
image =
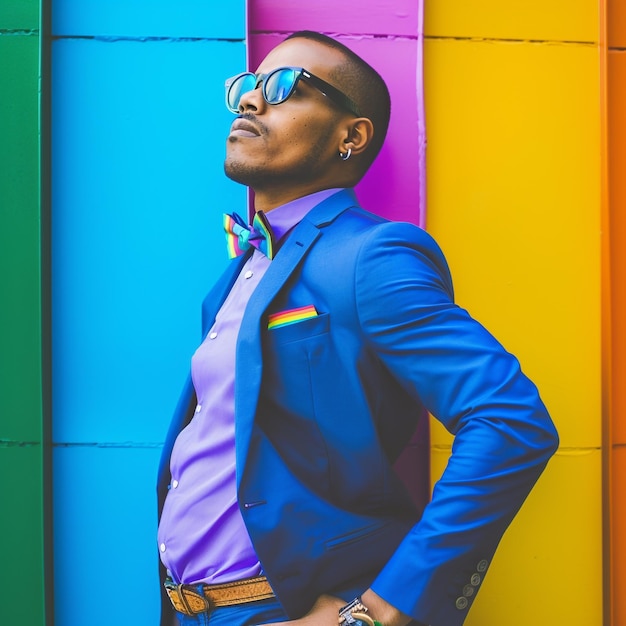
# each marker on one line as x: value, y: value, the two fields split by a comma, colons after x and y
x: 105, y: 561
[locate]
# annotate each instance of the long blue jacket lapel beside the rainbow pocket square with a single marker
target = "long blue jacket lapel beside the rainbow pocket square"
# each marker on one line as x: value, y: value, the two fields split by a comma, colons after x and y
x: 249, y: 366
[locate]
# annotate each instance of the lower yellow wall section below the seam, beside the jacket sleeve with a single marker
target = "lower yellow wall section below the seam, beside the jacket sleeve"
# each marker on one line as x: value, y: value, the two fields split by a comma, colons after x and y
x: 548, y: 568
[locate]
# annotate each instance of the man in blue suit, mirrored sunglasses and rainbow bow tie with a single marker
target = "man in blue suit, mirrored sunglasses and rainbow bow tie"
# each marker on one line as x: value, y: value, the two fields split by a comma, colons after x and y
x: 323, y: 344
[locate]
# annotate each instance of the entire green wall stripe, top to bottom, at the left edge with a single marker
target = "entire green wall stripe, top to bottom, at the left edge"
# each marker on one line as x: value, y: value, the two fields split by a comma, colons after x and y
x: 23, y: 448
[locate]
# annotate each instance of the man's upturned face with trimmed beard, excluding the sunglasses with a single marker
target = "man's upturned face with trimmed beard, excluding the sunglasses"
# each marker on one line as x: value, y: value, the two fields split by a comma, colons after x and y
x: 293, y: 144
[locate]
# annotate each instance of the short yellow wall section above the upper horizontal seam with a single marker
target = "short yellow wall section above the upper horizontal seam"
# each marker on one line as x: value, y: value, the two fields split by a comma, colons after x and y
x: 557, y: 20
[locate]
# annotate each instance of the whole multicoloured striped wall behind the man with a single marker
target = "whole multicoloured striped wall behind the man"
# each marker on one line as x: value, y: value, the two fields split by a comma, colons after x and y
x: 517, y: 120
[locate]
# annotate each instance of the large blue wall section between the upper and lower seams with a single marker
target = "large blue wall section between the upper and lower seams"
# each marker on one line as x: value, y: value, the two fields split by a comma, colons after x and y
x: 138, y: 144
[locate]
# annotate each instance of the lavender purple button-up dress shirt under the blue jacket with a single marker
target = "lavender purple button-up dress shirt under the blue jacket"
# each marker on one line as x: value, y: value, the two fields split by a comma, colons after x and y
x: 202, y: 536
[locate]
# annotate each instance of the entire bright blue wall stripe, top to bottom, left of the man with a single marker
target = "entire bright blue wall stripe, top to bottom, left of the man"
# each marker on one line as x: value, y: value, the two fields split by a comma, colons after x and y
x: 138, y: 138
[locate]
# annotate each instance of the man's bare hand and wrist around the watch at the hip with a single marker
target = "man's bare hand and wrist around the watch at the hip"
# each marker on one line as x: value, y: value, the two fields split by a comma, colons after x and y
x: 325, y: 612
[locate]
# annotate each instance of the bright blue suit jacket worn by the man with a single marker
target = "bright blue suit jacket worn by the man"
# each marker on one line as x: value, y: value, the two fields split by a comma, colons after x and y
x: 324, y: 406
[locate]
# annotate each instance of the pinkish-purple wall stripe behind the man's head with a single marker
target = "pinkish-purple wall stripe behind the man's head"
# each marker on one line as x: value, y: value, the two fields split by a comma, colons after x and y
x: 390, y: 39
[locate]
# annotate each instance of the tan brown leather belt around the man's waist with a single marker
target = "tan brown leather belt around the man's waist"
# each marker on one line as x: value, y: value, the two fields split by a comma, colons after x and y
x: 192, y: 599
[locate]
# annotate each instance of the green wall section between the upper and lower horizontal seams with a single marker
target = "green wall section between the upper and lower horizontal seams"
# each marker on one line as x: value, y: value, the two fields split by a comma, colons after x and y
x: 20, y: 284
